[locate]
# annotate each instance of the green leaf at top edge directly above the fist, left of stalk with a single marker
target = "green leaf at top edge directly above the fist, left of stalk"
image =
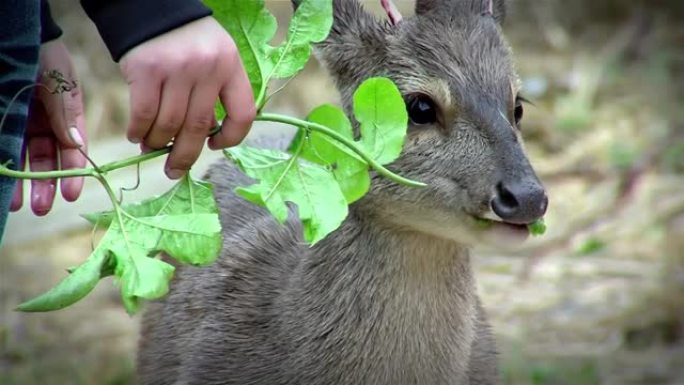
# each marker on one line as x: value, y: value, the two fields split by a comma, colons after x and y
x: 251, y: 26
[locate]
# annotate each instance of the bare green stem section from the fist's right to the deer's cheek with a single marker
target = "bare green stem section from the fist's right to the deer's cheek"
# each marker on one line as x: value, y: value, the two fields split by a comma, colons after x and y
x: 351, y: 144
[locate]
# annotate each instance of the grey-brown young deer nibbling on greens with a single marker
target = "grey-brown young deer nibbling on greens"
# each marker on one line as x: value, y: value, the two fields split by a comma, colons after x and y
x: 389, y: 297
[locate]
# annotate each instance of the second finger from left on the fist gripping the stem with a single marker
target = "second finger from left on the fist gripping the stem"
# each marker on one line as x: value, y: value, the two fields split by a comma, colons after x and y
x: 172, y: 110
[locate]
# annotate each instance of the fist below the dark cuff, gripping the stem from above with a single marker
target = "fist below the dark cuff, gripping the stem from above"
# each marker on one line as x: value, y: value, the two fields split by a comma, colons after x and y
x: 175, y: 80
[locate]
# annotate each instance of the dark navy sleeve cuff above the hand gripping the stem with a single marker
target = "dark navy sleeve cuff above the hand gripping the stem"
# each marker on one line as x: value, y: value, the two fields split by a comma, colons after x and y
x: 123, y: 24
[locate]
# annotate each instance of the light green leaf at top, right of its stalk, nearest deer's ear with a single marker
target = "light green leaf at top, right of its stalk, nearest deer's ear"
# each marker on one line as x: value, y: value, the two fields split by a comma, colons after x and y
x: 311, y: 23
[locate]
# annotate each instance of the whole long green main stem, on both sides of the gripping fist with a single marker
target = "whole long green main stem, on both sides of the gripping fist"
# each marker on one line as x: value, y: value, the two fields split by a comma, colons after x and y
x: 91, y: 172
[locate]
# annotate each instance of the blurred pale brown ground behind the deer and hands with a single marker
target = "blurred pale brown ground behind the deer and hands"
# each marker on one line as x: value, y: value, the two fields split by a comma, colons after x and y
x: 598, y: 300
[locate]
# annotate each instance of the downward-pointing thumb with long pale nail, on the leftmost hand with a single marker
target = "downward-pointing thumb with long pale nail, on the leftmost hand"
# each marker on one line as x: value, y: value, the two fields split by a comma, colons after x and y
x: 64, y: 111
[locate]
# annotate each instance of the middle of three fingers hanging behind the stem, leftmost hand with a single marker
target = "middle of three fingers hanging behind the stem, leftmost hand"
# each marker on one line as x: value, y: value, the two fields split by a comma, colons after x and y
x: 42, y: 156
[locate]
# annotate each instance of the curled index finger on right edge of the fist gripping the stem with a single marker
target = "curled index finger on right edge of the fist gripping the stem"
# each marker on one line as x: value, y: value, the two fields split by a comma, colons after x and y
x: 238, y: 100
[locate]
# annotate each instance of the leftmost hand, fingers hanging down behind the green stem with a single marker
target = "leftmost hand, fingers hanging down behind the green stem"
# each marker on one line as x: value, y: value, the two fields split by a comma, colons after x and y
x: 54, y: 132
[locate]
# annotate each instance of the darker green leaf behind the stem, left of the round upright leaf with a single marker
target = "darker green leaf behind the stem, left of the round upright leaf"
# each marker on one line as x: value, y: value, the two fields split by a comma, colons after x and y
x: 350, y: 171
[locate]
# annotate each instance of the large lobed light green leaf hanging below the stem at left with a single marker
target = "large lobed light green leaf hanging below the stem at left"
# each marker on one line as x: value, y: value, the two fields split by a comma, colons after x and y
x: 182, y: 223
